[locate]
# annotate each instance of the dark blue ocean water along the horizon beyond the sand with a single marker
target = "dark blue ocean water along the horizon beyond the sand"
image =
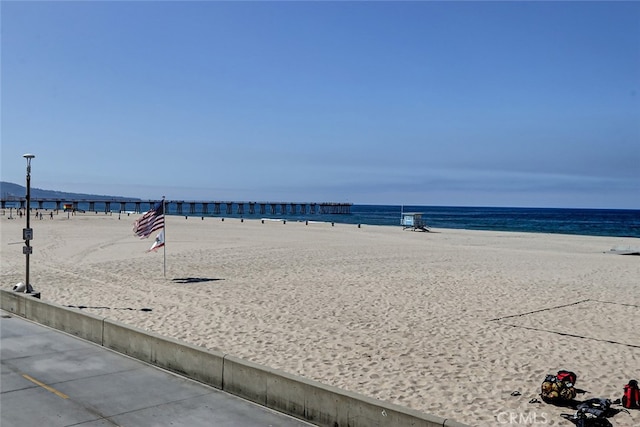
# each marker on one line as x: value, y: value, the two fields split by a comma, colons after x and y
x: 592, y: 222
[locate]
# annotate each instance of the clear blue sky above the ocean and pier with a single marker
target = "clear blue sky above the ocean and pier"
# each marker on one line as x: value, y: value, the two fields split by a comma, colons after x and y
x: 427, y: 103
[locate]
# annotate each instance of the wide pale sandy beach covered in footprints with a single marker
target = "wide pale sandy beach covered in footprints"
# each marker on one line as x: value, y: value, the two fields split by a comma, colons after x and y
x: 449, y: 322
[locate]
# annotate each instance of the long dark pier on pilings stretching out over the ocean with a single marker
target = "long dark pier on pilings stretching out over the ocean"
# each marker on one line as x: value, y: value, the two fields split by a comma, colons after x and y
x: 181, y: 207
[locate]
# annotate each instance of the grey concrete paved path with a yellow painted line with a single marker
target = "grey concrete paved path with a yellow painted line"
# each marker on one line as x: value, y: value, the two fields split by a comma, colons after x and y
x: 53, y: 379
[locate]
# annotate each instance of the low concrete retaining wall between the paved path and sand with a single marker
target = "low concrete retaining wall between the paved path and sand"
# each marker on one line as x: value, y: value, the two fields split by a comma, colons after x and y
x: 312, y: 401
